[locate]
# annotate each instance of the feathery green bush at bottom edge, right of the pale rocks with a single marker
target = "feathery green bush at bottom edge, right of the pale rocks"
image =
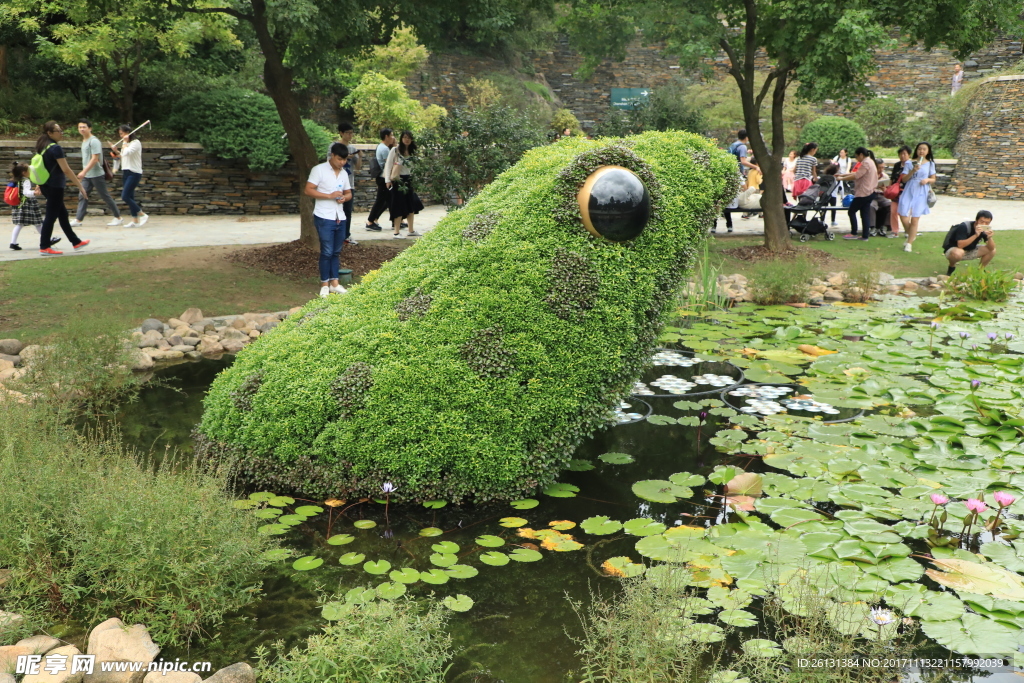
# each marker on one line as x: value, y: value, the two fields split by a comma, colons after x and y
x: 368, y: 644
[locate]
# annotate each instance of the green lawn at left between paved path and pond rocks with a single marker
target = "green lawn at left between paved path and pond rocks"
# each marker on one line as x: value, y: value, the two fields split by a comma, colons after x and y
x: 117, y: 291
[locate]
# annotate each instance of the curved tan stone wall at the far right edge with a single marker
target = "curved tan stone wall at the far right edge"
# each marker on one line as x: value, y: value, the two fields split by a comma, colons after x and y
x: 990, y: 146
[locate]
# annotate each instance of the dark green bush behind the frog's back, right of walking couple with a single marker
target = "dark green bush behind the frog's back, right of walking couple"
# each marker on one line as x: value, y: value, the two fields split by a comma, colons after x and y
x: 458, y: 166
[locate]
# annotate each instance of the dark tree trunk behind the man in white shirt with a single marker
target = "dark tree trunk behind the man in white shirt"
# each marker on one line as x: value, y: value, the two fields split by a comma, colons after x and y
x: 278, y: 79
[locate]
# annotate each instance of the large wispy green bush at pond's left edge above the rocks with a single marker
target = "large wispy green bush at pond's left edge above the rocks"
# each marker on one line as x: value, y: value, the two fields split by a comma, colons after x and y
x: 89, y: 534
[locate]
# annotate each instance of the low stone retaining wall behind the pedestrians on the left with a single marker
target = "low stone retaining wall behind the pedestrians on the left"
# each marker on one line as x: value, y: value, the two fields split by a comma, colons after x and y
x: 181, y: 179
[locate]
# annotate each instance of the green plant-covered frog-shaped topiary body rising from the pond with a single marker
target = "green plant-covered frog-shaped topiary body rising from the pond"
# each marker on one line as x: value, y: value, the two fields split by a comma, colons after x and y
x: 460, y: 371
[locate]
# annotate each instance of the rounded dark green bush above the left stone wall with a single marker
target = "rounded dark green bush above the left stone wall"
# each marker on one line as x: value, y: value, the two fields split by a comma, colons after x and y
x: 238, y: 124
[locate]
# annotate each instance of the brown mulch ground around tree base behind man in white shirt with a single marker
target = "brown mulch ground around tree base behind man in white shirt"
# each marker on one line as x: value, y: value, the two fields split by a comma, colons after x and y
x: 295, y: 261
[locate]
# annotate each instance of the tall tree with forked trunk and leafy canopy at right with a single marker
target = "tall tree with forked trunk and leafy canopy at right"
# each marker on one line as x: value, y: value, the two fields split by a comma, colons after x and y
x: 823, y: 48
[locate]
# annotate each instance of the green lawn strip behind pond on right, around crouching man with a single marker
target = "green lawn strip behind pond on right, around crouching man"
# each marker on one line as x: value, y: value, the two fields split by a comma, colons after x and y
x: 879, y: 254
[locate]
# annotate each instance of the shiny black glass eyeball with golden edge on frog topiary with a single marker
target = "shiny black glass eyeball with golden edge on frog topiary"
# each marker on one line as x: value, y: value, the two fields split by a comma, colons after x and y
x: 615, y: 204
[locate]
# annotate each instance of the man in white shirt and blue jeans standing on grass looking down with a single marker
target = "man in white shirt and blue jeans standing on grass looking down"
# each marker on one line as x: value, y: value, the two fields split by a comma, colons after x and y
x: 330, y: 187
